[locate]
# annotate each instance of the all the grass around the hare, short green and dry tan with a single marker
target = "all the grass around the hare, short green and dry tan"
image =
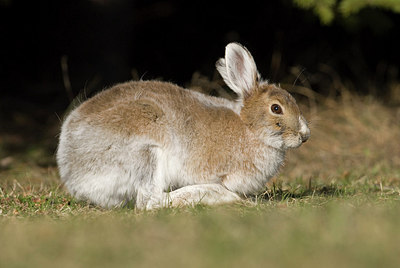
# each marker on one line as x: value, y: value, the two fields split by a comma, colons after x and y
x: 335, y: 204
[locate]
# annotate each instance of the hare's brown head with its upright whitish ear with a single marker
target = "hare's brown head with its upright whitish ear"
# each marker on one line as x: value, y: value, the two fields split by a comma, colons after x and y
x: 269, y: 111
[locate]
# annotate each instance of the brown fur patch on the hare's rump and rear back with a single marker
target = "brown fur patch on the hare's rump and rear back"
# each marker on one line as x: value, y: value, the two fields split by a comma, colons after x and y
x: 140, y: 108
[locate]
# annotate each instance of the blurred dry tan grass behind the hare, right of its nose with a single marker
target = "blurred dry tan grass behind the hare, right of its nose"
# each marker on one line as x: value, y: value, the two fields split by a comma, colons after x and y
x: 353, y: 136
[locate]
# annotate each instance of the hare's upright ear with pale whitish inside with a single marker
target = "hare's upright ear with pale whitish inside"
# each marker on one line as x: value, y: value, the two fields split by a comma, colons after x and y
x: 238, y: 70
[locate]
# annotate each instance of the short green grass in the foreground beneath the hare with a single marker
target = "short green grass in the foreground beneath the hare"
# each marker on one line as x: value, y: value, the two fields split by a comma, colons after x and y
x: 341, y: 224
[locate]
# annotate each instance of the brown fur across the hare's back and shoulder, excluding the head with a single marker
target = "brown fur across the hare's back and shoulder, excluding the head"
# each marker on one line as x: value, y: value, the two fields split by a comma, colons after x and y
x: 135, y: 108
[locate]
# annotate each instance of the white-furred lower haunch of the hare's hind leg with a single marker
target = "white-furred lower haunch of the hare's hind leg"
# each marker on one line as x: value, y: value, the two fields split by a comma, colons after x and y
x: 116, y: 179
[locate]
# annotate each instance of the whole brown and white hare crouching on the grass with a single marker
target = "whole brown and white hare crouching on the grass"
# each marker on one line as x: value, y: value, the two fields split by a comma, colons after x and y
x: 153, y: 144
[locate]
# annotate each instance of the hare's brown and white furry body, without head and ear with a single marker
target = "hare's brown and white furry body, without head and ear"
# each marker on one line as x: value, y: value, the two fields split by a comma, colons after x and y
x: 136, y: 142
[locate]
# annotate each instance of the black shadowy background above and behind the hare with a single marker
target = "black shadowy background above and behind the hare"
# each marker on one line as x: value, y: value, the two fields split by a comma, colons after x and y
x: 105, y: 42
